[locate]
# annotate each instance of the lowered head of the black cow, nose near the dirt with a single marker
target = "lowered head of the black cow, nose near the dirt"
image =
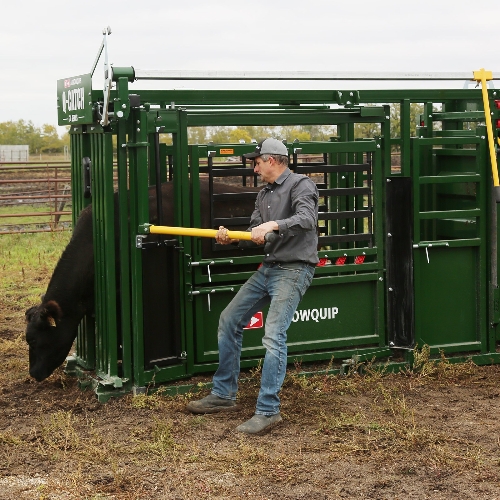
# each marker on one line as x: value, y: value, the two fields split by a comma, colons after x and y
x: 48, y: 338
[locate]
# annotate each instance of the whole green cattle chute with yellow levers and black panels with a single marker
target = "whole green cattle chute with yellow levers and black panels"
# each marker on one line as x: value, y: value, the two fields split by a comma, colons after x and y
x: 408, y: 248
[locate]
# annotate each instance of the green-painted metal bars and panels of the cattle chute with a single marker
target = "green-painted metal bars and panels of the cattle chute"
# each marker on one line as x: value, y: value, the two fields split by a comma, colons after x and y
x: 115, y: 355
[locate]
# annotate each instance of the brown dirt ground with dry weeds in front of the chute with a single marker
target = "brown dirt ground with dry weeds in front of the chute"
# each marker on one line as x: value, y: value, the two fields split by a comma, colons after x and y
x: 432, y: 433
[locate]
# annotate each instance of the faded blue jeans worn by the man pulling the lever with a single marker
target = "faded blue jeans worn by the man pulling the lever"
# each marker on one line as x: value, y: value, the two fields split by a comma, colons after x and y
x: 282, y: 286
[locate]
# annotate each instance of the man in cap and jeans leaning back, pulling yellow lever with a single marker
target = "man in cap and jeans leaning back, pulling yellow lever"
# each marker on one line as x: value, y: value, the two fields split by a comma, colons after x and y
x: 288, y: 205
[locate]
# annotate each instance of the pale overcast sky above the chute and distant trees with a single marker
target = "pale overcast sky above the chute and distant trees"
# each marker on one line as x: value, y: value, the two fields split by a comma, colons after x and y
x: 41, y: 42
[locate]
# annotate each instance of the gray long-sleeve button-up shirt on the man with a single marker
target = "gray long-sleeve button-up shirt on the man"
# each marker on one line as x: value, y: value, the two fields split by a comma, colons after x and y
x: 292, y: 202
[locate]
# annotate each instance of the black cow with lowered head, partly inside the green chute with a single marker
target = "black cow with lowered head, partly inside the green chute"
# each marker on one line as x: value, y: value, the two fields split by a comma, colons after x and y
x: 52, y: 326
